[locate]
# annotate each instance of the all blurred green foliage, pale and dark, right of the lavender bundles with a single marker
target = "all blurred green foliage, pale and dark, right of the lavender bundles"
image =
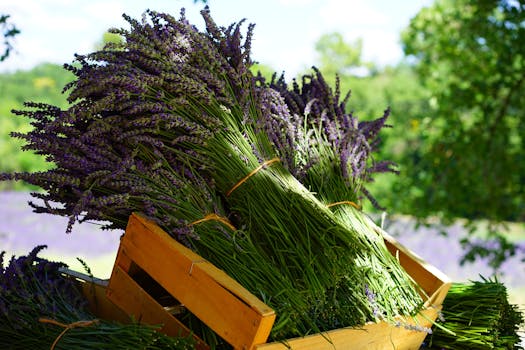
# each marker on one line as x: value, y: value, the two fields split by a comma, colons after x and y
x: 457, y: 108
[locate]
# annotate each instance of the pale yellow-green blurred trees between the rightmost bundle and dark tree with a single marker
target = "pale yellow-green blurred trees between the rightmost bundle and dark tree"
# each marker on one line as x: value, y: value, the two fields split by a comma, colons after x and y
x: 372, y: 90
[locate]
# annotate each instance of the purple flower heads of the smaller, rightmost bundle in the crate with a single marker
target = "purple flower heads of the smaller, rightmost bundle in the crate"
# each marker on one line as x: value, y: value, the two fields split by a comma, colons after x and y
x: 314, y: 106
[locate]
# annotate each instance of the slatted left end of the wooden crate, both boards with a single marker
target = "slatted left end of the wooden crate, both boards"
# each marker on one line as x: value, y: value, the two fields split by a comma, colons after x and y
x: 235, y: 314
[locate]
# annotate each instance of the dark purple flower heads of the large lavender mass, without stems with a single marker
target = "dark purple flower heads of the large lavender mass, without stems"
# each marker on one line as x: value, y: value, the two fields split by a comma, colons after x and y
x: 127, y: 98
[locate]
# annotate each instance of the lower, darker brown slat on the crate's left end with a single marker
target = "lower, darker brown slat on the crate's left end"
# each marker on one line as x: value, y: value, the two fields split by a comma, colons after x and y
x: 129, y: 296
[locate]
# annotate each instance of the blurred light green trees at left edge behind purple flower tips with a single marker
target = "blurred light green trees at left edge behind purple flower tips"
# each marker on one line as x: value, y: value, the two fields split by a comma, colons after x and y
x: 43, y: 83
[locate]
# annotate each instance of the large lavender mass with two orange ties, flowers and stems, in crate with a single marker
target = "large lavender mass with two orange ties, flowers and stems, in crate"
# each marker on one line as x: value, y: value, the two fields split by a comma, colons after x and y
x: 167, y: 123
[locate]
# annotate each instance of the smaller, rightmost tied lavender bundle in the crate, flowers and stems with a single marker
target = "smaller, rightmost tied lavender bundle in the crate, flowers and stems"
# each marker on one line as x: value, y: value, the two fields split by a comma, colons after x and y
x: 331, y: 152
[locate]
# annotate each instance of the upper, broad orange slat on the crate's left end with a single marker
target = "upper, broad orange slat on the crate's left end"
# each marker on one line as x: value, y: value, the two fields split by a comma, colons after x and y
x: 225, y: 306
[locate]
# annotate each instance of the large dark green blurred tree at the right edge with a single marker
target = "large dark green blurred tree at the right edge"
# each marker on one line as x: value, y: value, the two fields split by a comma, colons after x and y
x: 471, y: 55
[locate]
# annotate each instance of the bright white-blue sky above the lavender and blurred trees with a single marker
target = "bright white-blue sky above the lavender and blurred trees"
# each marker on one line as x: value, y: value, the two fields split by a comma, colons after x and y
x: 284, y: 37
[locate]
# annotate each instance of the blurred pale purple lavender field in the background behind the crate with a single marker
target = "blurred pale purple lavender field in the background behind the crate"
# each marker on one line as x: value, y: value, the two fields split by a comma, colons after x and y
x: 21, y: 230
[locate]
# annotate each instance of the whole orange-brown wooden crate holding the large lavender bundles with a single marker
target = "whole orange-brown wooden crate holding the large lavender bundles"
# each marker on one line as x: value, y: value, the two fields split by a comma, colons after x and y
x: 230, y: 310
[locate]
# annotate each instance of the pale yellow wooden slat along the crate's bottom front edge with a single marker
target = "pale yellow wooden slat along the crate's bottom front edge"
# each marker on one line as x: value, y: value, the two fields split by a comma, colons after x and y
x: 373, y: 336
